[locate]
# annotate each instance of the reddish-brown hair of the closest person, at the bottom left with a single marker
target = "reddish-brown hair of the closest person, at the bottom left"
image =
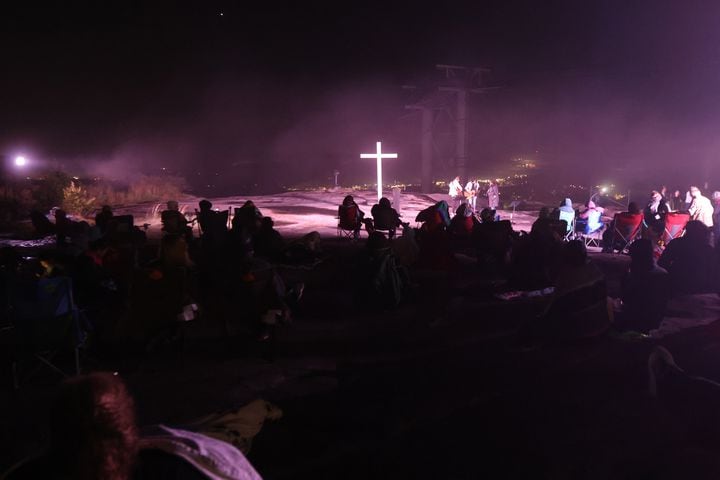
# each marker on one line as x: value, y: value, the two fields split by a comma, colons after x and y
x: 92, y: 428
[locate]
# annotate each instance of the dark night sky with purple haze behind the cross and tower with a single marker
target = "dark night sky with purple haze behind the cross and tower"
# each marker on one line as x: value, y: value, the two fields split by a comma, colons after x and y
x: 205, y: 87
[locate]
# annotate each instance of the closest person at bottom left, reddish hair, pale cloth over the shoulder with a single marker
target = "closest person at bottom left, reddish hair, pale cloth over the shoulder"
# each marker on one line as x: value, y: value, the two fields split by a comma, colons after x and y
x: 94, y: 435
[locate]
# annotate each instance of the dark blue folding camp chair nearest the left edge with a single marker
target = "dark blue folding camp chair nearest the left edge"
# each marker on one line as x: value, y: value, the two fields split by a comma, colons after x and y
x: 46, y: 322
